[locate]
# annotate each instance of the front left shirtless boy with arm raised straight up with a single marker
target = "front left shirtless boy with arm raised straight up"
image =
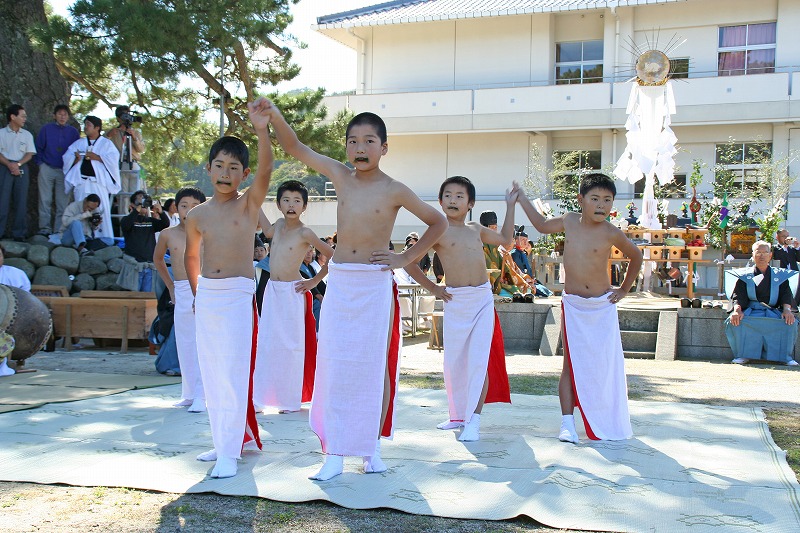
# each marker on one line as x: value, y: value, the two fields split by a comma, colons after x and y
x: 224, y: 289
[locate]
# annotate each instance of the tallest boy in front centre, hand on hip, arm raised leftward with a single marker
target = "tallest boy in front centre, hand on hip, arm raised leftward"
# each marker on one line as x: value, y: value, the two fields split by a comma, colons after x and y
x: 359, y: 338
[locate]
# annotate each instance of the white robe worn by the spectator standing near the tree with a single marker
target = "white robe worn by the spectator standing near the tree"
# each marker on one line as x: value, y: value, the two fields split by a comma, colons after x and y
x: 104, y: 183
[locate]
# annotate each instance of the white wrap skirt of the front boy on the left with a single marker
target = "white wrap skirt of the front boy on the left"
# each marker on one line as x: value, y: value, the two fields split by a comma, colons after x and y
x: 224, y: 323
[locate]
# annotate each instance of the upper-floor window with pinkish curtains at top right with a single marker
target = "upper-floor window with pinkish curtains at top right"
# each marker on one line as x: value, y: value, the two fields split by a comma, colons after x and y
x: 747, y: 49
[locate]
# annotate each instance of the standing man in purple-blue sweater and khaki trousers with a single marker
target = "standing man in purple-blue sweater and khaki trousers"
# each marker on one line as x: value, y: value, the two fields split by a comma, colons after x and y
x: 51, y: 143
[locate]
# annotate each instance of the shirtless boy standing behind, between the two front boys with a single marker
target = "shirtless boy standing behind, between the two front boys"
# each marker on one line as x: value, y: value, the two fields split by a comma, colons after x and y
x: 287, y: 335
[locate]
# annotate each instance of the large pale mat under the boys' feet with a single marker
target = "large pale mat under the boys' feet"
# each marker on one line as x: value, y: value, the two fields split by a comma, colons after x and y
x: 689, y: 467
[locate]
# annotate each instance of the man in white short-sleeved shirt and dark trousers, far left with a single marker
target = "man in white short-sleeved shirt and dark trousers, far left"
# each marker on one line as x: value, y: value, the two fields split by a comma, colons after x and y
x: 16, y: 149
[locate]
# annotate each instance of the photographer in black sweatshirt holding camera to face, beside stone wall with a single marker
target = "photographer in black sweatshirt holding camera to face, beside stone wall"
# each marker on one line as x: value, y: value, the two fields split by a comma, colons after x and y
x: 139, y: 228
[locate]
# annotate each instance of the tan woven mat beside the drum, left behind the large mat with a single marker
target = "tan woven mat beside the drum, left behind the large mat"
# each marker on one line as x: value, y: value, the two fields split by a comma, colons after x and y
x: 32, y: 389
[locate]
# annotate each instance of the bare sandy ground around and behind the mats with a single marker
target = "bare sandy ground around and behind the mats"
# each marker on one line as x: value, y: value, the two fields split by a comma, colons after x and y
x: 54, y: 508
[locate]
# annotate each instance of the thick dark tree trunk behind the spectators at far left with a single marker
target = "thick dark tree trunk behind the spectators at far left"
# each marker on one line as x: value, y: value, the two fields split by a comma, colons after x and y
x: 28, y: 77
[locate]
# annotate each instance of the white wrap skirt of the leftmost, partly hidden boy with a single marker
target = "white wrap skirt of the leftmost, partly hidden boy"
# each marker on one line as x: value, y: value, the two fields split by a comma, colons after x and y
x: 186, y: 342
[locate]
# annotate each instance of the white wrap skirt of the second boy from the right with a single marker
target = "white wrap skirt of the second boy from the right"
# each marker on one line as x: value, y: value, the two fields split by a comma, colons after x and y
x: 468, y: 329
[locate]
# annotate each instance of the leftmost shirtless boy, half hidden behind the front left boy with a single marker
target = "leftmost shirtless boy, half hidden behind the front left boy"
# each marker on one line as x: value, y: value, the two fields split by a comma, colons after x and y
x: 180, y: 294
